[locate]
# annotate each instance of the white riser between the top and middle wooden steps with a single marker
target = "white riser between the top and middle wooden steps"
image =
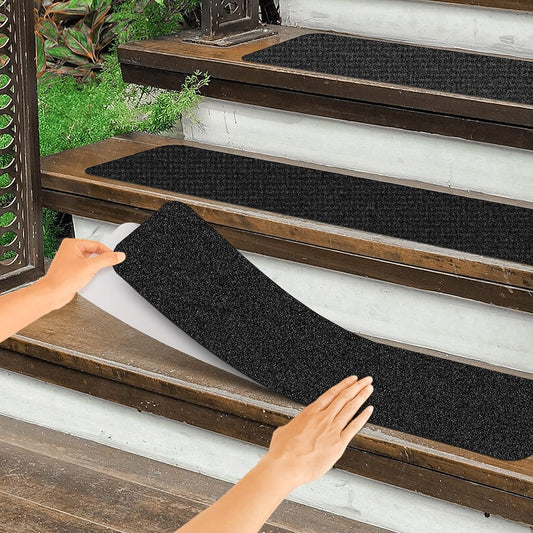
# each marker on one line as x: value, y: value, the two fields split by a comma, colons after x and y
x: 428, y: 158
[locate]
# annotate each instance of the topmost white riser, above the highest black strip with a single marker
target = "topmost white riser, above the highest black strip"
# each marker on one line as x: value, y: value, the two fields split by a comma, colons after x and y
x: 486, y: 30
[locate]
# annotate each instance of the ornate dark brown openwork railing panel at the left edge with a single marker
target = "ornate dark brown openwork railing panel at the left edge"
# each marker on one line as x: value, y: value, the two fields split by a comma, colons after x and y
x: 21, y: 254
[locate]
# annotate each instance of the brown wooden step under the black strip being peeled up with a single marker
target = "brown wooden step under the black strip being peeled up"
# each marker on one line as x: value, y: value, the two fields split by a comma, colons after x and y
x: 120, y: 353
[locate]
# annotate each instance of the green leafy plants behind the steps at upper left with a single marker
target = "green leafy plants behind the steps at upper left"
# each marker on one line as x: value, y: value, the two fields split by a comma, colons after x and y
x: 89, y: 106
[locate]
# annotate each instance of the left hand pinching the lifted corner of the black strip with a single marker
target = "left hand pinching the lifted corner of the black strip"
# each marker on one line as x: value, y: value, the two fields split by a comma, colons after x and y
x: 73, y: 267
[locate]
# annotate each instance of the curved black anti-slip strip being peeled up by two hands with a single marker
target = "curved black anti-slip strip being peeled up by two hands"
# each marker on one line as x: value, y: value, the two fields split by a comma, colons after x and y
x: 190, y: 273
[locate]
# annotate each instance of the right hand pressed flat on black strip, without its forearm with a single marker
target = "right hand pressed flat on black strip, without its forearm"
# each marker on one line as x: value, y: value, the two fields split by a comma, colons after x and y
x: 309, y: 445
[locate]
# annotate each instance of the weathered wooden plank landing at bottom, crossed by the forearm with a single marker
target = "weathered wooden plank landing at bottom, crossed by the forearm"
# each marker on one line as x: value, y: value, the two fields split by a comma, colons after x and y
x: 61, y: 483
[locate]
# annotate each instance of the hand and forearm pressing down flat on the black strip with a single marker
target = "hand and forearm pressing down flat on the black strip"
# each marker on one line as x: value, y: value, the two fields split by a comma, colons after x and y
x: 300, y: 451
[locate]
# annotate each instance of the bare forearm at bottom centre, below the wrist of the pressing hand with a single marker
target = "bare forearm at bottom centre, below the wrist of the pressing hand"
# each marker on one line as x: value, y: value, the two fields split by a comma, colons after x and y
x: 248, y: 504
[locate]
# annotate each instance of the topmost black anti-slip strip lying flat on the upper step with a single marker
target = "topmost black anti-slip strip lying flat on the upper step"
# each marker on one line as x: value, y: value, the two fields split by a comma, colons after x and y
x: 464, y: 73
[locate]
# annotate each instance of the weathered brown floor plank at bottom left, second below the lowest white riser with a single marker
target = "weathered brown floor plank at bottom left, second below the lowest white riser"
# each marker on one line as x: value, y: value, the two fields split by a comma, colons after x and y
x: 93, y: 496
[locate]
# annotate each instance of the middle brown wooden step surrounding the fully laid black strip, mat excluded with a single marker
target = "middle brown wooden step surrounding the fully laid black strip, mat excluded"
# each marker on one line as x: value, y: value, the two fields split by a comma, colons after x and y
x: 68, y: 188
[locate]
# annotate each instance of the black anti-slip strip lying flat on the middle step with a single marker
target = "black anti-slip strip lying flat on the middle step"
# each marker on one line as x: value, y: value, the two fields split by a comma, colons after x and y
x: 445, y: 220
